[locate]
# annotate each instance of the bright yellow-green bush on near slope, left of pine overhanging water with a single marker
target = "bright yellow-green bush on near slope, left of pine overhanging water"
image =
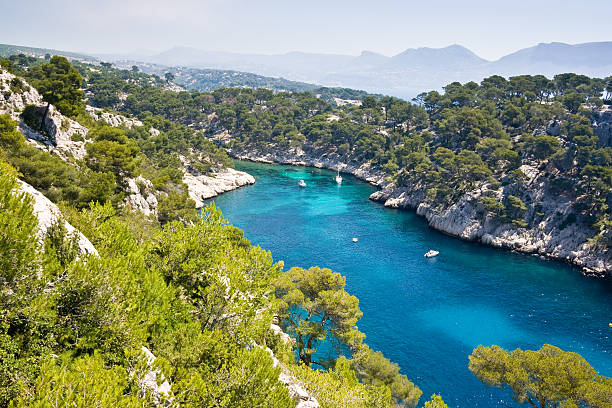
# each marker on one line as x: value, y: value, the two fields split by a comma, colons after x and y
x: 196, y: 259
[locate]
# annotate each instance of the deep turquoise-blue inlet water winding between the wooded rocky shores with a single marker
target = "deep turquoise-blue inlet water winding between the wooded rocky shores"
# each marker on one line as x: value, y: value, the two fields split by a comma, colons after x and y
x: 424, y: 314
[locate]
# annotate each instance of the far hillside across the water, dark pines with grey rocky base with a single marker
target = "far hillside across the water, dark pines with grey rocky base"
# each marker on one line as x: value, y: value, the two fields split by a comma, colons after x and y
x: 523, y: 163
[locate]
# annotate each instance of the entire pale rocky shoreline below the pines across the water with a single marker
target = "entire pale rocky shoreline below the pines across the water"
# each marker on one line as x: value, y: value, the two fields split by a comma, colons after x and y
x: 548, y: 237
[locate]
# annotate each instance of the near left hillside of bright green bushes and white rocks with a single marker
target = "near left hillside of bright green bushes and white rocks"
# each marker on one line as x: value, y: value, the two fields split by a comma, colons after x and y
x: 170, y: 308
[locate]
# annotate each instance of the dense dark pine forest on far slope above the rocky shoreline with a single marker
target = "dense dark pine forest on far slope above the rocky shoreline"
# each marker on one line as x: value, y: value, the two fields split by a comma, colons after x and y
x: 473, y: 136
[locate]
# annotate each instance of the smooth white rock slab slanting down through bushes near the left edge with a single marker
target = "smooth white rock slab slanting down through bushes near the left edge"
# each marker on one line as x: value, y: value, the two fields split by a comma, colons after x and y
x: 48, y: 214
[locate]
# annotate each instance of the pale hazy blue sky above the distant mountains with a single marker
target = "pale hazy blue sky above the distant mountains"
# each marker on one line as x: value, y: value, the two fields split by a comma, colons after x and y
x: 488, y: 27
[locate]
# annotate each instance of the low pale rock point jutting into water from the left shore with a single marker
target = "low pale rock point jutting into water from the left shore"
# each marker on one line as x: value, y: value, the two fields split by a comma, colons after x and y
x: 202, y: 187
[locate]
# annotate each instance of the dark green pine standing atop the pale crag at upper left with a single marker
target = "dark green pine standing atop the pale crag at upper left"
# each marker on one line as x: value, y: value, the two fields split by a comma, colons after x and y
x: 59, y: 84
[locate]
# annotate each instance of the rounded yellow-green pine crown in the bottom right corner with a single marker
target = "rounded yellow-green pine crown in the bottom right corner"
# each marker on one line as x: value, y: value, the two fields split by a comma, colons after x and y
x: 548, y: 377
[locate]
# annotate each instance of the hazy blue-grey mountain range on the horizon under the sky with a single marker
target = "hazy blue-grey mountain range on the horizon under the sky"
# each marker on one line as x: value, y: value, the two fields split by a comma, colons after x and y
x: 404, y: 75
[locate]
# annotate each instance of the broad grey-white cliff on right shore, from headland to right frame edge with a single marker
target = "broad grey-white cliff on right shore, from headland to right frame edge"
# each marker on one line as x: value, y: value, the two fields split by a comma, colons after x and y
x: 554, y: 229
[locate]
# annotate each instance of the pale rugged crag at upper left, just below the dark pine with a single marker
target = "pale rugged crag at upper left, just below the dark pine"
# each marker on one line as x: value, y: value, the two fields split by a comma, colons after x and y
x: 62, y: 135
